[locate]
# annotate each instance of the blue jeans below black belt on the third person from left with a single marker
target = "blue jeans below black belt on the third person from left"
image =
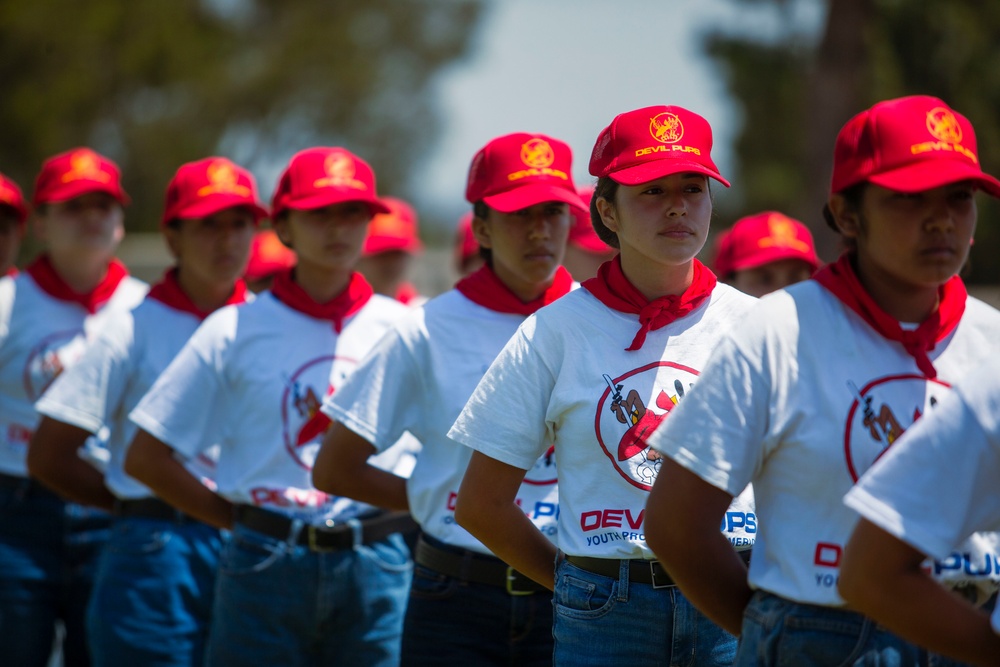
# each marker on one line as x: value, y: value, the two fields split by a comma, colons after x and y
x: 278, y: 603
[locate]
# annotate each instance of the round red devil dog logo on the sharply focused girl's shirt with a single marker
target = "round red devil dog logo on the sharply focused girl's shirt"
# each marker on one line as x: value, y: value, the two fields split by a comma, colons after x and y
x: 631, y: 408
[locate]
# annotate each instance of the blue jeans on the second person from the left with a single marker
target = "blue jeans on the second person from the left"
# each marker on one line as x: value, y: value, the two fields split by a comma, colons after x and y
x: 152, y: 599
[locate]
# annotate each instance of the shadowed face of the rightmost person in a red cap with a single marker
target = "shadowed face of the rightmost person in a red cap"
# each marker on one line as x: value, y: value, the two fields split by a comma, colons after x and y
x: 912, y: 240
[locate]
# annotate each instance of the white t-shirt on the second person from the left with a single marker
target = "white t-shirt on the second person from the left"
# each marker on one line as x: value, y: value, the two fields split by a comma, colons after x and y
x: 113, y: 374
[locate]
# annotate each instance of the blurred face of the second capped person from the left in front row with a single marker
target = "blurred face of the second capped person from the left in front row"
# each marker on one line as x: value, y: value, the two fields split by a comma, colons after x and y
x: 214, y: 248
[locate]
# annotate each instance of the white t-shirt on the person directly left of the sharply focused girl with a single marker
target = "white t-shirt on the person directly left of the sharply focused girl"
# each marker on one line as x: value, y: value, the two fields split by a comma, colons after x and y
x: 417, y: 380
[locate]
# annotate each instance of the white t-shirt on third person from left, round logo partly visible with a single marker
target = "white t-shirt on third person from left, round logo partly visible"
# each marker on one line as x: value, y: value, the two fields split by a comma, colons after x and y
x: 250, y: 378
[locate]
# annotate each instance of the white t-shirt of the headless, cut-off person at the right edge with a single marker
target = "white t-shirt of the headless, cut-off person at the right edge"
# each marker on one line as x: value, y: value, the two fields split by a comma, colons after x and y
x: 940, y: 483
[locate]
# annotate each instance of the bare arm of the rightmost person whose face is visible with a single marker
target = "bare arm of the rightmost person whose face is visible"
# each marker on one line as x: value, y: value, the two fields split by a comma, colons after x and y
x: 683, y: 514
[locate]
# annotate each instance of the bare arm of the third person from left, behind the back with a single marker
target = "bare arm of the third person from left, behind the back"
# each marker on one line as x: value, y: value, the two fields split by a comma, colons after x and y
x: 152, y: 462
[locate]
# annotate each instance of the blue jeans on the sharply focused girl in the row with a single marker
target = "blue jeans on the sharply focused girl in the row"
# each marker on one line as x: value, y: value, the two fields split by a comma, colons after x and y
x: 605, y: 622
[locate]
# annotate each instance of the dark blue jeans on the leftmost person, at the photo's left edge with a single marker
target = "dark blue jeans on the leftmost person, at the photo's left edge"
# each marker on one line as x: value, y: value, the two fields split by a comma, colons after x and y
x: 48, y: 557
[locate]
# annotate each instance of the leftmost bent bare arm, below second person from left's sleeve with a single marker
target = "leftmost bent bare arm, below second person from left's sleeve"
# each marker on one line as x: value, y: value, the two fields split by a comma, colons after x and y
x: 53, y: 459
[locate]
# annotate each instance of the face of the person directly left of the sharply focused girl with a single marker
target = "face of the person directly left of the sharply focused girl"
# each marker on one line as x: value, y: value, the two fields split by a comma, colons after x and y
x: 527, y: 246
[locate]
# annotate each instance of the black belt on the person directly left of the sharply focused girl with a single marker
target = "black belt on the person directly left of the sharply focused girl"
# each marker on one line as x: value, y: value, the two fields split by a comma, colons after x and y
x: 471, y: 567
